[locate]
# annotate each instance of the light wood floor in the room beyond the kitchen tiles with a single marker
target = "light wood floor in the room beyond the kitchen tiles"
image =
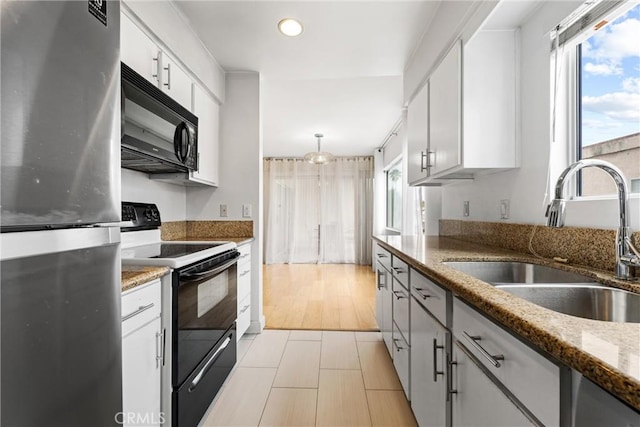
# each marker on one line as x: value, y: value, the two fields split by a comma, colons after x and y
x: 319, y: 296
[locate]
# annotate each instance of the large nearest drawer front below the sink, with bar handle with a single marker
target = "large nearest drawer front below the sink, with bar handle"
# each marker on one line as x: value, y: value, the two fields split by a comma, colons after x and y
x: 531, y: 377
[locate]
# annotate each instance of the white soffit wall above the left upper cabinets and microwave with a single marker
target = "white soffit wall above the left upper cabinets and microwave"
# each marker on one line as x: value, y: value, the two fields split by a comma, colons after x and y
x: 172, y: 30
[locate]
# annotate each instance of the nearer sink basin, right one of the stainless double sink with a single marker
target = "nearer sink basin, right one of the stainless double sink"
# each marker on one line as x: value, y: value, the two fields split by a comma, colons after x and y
x: 590, y: 302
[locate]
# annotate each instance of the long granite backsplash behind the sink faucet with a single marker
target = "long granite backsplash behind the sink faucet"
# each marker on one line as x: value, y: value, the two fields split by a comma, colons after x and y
x: 590, y: 247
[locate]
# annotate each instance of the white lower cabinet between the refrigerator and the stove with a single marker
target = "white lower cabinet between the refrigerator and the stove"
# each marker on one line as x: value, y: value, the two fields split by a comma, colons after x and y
x: 143, y: 348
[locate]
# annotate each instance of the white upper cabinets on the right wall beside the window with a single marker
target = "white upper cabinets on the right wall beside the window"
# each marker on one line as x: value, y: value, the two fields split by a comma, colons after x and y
x: 473, y: 112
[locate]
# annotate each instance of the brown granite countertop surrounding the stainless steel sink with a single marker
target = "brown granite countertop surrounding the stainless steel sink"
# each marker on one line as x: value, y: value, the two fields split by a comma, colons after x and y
x: 608, y: 353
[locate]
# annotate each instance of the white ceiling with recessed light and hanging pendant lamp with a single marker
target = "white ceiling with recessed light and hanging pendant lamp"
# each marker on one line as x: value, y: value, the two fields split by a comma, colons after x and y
x: 342, y: 77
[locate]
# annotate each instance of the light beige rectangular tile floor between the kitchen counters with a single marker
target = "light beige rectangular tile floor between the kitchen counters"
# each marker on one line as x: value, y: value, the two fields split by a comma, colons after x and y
x: 311, y: 378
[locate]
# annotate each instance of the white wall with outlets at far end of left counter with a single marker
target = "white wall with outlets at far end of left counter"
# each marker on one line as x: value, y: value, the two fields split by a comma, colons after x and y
x: 240, y: 174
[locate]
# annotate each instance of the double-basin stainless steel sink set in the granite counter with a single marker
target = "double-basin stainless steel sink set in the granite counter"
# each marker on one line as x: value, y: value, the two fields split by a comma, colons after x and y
x: 557, y: 290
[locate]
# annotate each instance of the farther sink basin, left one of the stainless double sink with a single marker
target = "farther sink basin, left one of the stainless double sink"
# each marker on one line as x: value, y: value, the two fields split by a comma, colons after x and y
x: 498, y: 272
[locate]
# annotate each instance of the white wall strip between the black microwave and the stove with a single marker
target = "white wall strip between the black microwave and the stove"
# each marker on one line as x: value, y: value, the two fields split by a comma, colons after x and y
x: 170, y: 198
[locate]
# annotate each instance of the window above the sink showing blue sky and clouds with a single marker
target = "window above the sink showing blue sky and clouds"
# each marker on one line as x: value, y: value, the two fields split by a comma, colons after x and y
x: 608, y: 99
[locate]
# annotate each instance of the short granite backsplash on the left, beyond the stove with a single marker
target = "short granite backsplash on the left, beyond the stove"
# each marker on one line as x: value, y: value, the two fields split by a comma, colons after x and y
x: 202, y: 229
